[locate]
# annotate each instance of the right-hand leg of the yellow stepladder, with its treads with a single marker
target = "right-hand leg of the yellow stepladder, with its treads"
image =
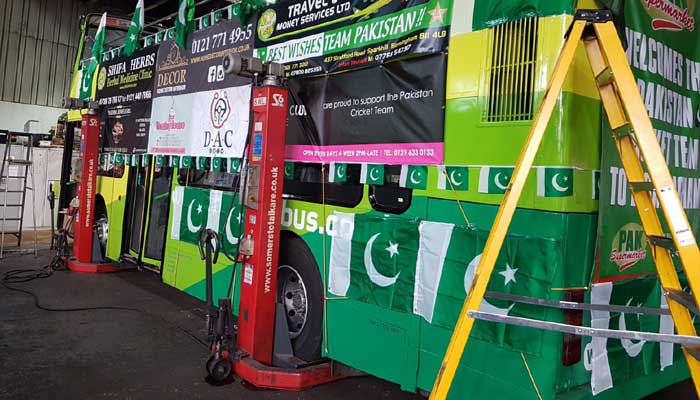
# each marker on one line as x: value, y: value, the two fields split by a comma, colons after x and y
x: 621, y: 98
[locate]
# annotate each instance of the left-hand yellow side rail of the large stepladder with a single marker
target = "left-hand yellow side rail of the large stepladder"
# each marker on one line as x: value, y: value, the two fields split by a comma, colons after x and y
x: 505, y: 213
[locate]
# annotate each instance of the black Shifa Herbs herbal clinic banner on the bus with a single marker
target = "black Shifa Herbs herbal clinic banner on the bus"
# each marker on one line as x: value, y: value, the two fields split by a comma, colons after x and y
x: 124, y: 90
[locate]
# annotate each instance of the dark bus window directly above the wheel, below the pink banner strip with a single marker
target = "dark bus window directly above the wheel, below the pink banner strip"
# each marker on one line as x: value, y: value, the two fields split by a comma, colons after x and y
x: 307, y: 186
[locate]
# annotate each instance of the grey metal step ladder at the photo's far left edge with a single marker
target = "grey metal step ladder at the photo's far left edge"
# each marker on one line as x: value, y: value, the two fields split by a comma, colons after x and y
x: 16, y: 169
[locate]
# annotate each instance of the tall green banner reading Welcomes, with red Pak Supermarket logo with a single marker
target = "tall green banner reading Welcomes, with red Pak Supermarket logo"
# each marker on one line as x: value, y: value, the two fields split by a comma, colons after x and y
x: 665, y: 58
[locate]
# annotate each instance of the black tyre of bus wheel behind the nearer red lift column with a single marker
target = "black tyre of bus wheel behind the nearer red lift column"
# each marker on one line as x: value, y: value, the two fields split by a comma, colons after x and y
x: 295, y: 254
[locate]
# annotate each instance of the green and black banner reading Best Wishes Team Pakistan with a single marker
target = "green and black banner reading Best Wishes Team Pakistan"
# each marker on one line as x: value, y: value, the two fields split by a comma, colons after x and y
x: 316, y: 37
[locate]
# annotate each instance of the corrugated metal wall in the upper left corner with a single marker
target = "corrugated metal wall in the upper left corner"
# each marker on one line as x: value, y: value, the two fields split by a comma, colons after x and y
x: 38, y: 44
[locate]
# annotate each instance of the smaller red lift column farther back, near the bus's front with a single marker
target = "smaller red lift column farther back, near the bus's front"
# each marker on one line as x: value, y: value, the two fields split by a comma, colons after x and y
x: 83, y: 223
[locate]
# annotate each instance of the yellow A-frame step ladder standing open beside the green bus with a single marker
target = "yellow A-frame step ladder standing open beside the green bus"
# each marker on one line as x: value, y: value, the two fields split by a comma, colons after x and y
x: 639, y: 152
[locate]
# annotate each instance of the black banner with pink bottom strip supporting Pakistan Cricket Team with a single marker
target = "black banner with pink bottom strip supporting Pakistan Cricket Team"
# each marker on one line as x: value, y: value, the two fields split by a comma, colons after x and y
x: 390, y: 115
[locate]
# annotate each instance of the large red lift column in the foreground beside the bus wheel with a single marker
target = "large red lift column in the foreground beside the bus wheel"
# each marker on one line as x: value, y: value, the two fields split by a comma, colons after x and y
x: 258, y: 296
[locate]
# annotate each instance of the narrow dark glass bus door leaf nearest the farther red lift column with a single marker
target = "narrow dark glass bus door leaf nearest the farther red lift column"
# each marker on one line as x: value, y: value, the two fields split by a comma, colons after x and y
x: 134, y: 213
